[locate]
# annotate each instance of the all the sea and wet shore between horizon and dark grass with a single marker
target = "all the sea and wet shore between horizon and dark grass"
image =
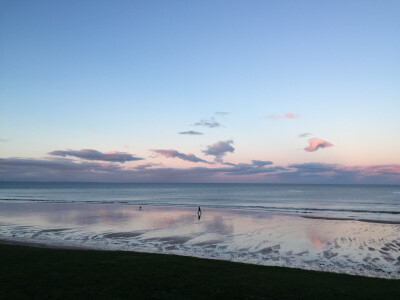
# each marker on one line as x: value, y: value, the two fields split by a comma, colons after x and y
x: 352, y: 229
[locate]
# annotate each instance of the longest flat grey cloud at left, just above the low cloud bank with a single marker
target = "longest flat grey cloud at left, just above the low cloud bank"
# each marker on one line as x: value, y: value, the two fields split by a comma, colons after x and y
x: 90, y: 154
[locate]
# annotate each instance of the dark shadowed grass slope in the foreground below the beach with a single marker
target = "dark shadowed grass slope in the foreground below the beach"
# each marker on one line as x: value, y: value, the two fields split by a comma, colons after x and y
x: 40, y: 273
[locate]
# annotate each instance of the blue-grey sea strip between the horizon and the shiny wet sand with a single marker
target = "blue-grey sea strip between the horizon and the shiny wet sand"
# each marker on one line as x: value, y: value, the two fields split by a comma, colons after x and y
x: 356, y: 202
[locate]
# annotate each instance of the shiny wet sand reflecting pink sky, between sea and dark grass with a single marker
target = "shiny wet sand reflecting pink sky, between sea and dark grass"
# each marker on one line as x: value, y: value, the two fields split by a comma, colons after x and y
x: 352, y: 247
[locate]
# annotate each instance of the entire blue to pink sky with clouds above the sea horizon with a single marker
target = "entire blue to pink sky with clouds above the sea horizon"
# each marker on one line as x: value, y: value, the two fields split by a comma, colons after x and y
x: 200, y: 91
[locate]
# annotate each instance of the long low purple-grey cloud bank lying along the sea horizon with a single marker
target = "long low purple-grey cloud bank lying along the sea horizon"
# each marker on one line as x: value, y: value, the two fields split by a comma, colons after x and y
x: 60, y: 169
